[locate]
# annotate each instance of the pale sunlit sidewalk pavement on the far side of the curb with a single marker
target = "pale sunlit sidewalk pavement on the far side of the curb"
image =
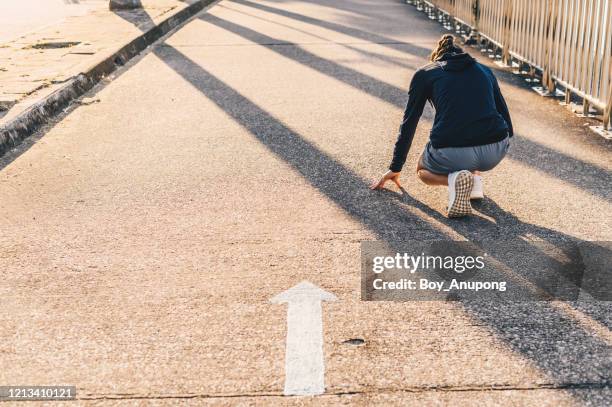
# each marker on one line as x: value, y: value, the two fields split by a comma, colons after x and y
x: 44, y: 44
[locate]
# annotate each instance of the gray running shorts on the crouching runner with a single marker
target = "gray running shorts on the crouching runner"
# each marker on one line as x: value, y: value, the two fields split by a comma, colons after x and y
x: 477, y: 158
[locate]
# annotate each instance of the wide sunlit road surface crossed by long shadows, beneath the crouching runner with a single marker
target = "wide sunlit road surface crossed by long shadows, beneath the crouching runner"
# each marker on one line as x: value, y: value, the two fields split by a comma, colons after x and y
x: 143, y: 235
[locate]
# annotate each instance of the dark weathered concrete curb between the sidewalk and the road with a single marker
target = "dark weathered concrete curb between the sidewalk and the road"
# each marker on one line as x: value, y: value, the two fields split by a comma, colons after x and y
x: 28, y: 121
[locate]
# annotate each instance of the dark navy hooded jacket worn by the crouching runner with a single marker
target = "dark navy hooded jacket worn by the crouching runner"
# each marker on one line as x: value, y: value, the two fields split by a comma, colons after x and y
x: 470, y: 109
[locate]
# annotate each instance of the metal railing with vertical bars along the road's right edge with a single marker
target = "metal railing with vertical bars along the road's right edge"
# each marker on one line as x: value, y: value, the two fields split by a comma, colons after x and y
x: 569, y: 42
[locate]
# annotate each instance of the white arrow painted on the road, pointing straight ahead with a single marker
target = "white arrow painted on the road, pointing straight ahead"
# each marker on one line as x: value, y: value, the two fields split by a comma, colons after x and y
x: 304, y: 364
